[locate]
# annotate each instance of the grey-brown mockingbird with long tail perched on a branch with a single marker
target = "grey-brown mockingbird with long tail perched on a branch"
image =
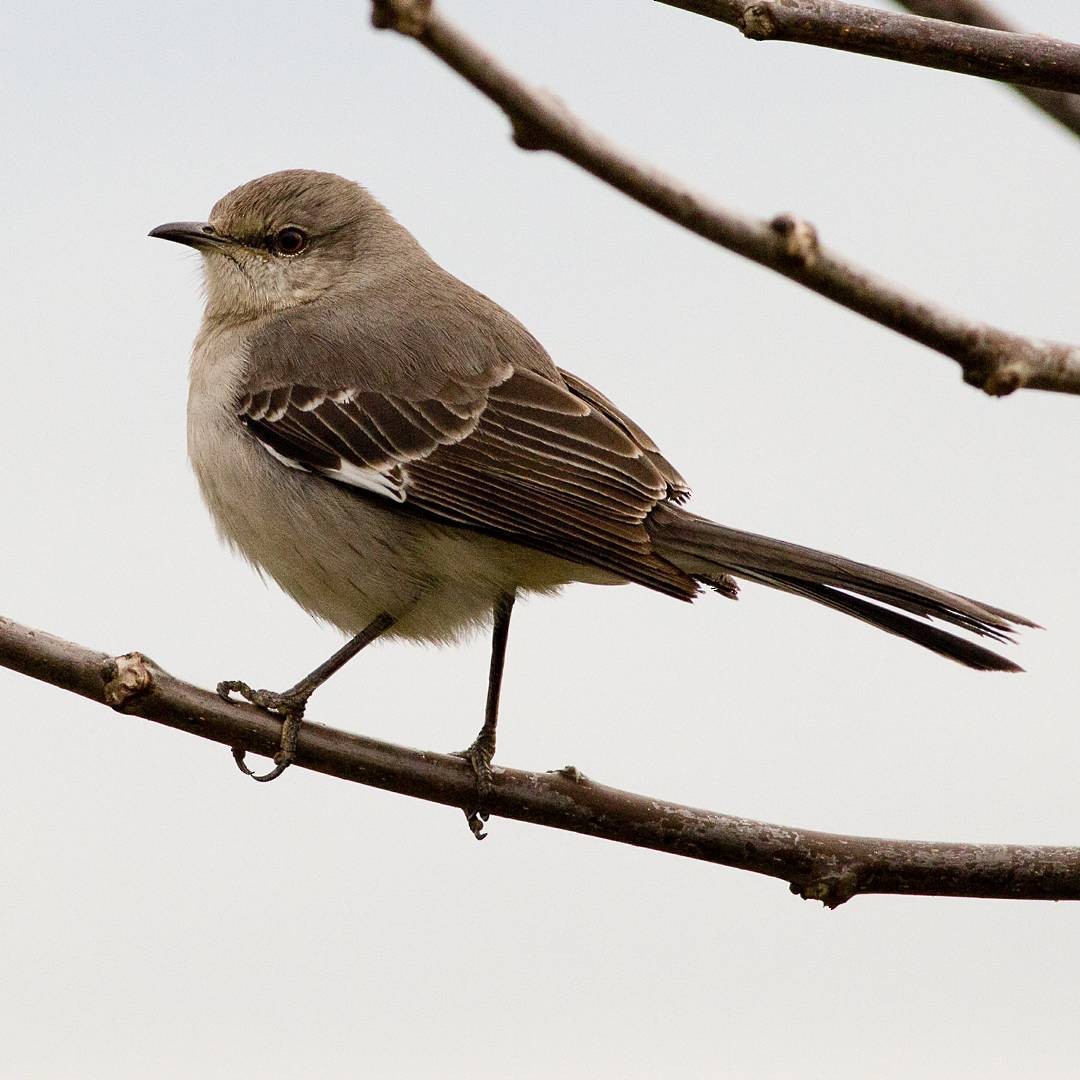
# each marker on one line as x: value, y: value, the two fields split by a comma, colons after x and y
x: 403, y: 457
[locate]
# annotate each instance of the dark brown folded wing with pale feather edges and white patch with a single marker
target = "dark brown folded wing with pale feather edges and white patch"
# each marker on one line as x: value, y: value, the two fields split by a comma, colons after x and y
x: 546, y: 462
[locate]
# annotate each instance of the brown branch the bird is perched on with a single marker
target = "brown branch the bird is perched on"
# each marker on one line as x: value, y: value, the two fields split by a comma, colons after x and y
x: 822, y: 867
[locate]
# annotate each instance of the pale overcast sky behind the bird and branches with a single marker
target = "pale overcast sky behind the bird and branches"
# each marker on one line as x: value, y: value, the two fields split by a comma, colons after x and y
x: 164, y: 917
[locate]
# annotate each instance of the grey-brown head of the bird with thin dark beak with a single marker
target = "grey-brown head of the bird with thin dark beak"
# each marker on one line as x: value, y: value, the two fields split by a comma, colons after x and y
x: 287, y: 239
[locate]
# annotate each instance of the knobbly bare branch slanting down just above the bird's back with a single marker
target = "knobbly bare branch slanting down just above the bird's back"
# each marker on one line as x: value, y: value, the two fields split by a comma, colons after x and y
x: 994, y: 360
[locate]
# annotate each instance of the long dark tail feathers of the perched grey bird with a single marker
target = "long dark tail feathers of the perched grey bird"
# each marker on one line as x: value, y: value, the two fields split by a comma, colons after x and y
x: 710, y: 552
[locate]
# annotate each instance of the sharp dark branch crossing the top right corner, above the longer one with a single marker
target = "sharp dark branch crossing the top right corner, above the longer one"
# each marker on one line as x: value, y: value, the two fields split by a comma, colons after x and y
x: 1001, y: 55
